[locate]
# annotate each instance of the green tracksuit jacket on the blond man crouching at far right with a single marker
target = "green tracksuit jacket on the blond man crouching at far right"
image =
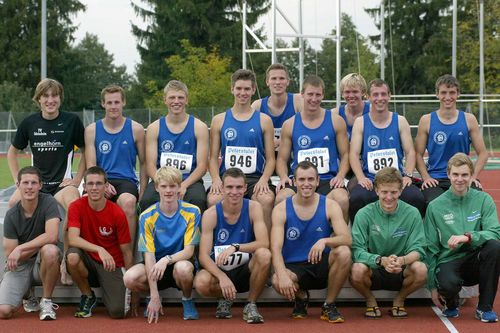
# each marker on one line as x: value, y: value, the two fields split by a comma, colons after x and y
x: 450, y: 215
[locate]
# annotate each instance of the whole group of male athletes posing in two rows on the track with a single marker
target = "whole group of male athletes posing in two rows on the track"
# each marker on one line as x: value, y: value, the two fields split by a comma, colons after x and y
x: 354, y: 164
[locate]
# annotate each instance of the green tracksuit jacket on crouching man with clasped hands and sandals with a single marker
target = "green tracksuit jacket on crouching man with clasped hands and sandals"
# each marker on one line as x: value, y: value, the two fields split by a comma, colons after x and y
x: 376, y: 232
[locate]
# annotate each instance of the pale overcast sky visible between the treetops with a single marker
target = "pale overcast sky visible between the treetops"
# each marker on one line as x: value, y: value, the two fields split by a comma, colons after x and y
x: 111, y: 21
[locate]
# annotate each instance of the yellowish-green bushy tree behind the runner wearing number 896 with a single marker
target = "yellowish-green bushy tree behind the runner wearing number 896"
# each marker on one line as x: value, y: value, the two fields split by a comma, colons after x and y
x: 205, y: 73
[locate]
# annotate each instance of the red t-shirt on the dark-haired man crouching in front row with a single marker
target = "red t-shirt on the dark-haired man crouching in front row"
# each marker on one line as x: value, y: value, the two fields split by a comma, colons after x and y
x: 107, y: 228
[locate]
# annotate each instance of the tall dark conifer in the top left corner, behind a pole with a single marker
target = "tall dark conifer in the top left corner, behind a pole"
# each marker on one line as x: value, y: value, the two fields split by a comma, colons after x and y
x: 20, y: 38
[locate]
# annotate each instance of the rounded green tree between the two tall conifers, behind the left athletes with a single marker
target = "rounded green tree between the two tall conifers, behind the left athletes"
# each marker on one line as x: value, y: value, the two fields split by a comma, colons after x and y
x: 87, y: 68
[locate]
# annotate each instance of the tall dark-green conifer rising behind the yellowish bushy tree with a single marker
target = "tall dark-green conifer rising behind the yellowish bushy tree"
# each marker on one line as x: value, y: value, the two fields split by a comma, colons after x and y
x: 205, y: 23
